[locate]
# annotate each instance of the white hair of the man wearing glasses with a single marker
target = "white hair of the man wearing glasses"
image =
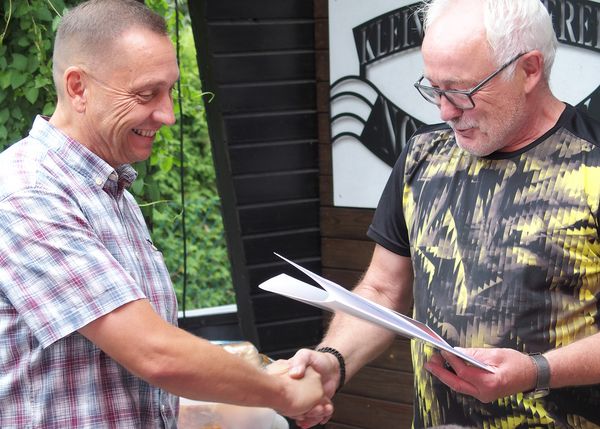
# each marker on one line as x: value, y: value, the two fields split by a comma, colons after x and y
x: 512, y: 27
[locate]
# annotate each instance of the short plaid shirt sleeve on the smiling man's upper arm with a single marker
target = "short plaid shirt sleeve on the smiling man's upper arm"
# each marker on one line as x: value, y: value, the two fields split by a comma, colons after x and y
x: 55, y: 271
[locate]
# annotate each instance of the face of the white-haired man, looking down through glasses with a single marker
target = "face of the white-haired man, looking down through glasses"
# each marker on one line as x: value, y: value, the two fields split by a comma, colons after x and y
x: 457, y: 56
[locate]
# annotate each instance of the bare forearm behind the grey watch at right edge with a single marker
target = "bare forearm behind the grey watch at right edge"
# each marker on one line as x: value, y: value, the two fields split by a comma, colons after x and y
x: 575, y: 364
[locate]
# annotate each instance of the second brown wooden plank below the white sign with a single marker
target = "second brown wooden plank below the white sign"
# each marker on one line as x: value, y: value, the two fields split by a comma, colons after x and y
x: 347, y: 254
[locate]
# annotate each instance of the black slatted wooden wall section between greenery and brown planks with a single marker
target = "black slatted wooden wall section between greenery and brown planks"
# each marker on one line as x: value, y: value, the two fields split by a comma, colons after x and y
x: 258, y: 60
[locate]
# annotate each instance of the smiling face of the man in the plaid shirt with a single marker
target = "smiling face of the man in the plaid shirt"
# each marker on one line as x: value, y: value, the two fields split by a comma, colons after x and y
x: 128, y: 97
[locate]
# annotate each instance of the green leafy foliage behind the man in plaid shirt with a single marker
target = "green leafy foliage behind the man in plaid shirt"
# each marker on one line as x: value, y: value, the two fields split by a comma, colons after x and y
x: 27, y: 30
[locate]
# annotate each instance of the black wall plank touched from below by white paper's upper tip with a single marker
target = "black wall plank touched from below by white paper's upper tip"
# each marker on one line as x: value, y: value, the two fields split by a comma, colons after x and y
x: 294, y: 245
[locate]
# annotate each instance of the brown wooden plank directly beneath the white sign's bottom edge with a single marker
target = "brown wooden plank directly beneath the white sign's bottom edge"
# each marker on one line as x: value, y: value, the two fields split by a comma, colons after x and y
x: 345, y: 222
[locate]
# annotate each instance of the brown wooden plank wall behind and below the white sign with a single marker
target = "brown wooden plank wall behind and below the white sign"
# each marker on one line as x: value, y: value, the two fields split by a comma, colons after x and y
x: 380, y: 395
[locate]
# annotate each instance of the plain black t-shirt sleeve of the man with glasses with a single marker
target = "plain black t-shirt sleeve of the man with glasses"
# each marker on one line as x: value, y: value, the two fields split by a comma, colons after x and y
x: 388, y: 227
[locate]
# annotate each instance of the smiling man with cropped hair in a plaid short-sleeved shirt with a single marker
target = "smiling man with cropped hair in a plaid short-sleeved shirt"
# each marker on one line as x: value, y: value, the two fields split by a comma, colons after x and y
x: 87, y: 310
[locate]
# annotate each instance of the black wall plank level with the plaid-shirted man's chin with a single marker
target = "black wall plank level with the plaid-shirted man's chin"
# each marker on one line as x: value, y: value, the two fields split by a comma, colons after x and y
x: 272, y: 157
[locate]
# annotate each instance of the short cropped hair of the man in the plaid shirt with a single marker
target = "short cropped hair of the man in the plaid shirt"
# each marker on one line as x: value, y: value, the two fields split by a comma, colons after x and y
x: 90, y: 28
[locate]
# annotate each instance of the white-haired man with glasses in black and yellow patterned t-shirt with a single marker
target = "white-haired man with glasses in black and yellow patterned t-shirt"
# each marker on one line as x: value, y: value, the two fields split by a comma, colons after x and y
x: 489, y: 224
